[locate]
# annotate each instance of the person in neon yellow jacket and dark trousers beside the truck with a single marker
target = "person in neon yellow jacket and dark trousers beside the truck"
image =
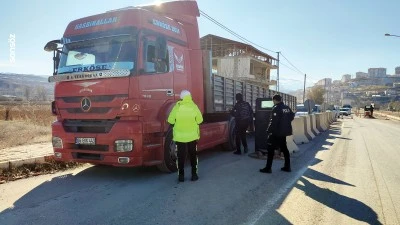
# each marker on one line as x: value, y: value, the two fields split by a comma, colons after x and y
x: 186, y: 117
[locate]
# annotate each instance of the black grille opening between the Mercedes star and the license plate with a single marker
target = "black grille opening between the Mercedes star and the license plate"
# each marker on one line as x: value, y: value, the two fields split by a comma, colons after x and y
x: 88, y: 126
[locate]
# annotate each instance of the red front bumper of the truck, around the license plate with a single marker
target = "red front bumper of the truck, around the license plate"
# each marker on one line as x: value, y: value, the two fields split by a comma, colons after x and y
x: 103, y: 152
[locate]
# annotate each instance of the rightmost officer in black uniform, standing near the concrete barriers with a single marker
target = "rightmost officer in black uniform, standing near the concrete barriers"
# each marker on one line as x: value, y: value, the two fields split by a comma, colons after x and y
x: 279, y: 127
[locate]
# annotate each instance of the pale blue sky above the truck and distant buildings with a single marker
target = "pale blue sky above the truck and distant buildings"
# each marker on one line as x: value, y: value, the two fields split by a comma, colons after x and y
x: 324, y: 39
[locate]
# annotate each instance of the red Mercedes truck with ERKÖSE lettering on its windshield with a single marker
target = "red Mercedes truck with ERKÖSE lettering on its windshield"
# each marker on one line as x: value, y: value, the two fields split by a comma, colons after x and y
x: 117, y: 76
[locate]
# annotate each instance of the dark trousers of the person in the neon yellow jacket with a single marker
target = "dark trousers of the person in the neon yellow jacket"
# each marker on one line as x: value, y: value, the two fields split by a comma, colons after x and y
x: 183, y: 150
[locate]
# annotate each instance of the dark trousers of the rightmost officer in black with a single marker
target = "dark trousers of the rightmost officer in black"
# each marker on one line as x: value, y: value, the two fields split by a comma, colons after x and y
x: 275, y: 142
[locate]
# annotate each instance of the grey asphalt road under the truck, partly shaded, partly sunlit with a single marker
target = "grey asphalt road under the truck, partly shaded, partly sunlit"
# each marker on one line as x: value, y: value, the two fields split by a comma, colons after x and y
x: 347, y: 175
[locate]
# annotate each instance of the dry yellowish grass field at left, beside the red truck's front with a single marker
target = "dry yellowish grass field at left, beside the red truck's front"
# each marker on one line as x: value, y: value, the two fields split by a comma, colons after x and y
x: 25, y: 124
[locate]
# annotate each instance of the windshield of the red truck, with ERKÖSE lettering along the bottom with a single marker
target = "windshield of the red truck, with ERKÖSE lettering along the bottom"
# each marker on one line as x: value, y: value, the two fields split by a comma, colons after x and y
x: 108, y: 53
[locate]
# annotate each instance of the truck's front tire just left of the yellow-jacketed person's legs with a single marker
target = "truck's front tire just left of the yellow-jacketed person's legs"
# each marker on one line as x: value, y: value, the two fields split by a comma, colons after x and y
x: 170, y: 155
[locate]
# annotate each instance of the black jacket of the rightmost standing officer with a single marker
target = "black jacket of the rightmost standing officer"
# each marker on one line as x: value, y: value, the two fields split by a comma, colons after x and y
x: 281, y: 121
